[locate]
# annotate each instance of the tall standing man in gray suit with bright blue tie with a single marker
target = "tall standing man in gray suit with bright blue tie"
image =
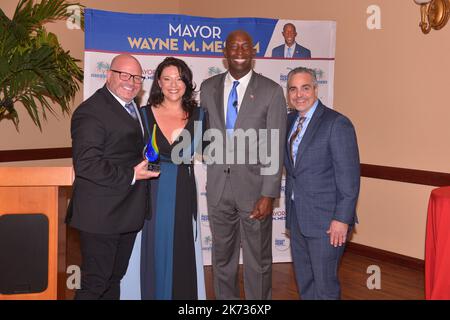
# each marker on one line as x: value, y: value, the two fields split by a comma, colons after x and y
x: 240, y: 196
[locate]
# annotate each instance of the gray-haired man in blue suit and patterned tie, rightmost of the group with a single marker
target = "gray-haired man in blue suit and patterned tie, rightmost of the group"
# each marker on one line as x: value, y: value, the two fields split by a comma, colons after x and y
x: 322, y: 186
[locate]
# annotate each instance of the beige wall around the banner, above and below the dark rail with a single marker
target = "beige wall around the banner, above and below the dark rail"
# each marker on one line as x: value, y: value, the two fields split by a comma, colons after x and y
x: 391, y: 82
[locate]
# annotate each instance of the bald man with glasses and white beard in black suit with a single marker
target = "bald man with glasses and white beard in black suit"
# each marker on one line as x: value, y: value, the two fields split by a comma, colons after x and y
x: 110, y: 191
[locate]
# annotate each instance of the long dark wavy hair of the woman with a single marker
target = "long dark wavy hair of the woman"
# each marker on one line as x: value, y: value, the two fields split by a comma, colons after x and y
x: 188, y: 102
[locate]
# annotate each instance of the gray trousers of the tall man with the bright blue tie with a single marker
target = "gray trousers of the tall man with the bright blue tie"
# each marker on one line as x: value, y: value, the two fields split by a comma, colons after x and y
x: 231, y: 227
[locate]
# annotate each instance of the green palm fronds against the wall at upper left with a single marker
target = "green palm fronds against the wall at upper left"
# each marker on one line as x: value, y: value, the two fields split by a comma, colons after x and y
x: 35, y: 71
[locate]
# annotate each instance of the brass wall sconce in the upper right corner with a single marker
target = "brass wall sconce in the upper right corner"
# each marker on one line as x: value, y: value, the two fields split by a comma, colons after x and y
x: 434, y: 14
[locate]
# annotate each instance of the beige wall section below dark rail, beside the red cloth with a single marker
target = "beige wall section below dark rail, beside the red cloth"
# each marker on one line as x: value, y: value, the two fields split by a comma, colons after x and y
x: 392, y: 216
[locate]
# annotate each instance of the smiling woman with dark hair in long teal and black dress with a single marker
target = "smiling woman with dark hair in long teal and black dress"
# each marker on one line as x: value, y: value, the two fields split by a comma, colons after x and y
x: 167, y: 262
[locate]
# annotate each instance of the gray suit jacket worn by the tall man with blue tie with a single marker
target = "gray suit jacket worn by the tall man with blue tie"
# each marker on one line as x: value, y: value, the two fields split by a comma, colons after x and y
x: 263, y: 107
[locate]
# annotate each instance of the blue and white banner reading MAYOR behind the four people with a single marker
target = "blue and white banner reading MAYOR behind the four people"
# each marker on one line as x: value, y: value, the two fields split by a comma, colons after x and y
x: 199, y: 41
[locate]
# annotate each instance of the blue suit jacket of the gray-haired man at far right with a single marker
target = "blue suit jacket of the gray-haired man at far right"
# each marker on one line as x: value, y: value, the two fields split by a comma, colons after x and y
x: 326, y: 175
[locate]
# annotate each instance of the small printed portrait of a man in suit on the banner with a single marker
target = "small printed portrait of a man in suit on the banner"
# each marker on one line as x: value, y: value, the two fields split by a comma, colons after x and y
x: 290, y: 48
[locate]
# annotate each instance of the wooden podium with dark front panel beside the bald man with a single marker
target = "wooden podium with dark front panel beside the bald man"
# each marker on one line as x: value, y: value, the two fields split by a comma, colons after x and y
x: 45, y: 190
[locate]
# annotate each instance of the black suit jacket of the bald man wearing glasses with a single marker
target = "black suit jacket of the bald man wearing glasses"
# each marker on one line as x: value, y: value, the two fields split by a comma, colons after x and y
x: 106, y: 143
